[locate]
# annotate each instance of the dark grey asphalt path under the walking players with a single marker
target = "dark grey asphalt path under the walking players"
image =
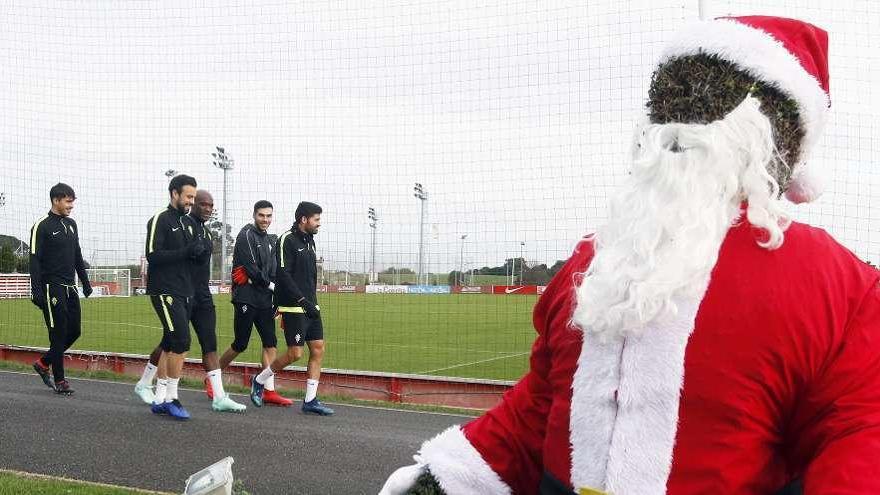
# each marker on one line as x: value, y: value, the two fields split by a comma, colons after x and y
x: 103, y: 433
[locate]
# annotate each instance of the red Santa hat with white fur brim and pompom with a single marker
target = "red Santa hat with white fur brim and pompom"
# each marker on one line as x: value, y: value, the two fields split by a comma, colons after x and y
x: 789, y: 54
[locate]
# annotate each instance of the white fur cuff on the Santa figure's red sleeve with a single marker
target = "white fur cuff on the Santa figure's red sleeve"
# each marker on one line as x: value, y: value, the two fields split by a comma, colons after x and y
x: 458, y: 466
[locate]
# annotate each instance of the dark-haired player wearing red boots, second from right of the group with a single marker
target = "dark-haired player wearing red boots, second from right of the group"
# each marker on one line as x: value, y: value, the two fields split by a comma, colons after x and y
x: 253, y: 277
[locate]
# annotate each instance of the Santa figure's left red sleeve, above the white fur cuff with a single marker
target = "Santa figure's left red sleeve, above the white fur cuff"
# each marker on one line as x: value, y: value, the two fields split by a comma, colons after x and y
x: 510, y: 437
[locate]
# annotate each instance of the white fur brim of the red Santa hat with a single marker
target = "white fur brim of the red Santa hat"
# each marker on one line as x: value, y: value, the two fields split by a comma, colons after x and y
x: 764, y: 57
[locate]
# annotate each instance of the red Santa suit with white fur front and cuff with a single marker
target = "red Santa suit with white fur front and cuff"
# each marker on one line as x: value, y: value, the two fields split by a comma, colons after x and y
x: 773, y: 374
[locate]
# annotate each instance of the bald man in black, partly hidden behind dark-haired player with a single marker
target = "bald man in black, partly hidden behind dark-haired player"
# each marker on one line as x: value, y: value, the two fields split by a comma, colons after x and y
x: 203, y: 319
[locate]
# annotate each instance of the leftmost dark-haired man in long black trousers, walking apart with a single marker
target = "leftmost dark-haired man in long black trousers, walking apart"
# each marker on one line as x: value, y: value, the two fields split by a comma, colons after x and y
x: 55, y: 256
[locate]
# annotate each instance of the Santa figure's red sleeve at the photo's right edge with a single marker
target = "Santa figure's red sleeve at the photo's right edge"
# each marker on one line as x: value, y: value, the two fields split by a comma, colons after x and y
x: 839, y: 442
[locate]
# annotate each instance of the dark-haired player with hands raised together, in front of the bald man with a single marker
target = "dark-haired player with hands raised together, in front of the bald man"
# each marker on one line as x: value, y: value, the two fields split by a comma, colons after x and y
x: 170, y: 249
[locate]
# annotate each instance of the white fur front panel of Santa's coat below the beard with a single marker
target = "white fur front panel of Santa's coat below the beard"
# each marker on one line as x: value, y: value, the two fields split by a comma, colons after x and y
x: 624, y: 444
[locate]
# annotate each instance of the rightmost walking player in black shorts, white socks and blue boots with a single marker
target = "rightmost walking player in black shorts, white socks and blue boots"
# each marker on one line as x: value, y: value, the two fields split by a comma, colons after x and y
x: 297, y: 301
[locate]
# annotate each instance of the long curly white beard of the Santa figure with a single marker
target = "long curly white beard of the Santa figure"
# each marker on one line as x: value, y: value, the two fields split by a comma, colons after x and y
x: 667, y: 224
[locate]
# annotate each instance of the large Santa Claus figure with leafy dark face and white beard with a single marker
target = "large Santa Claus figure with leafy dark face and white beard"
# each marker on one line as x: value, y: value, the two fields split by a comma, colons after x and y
x: 700, y: 342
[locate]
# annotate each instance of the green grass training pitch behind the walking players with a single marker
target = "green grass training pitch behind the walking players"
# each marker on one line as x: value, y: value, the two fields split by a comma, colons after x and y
x: 468, y: 335
